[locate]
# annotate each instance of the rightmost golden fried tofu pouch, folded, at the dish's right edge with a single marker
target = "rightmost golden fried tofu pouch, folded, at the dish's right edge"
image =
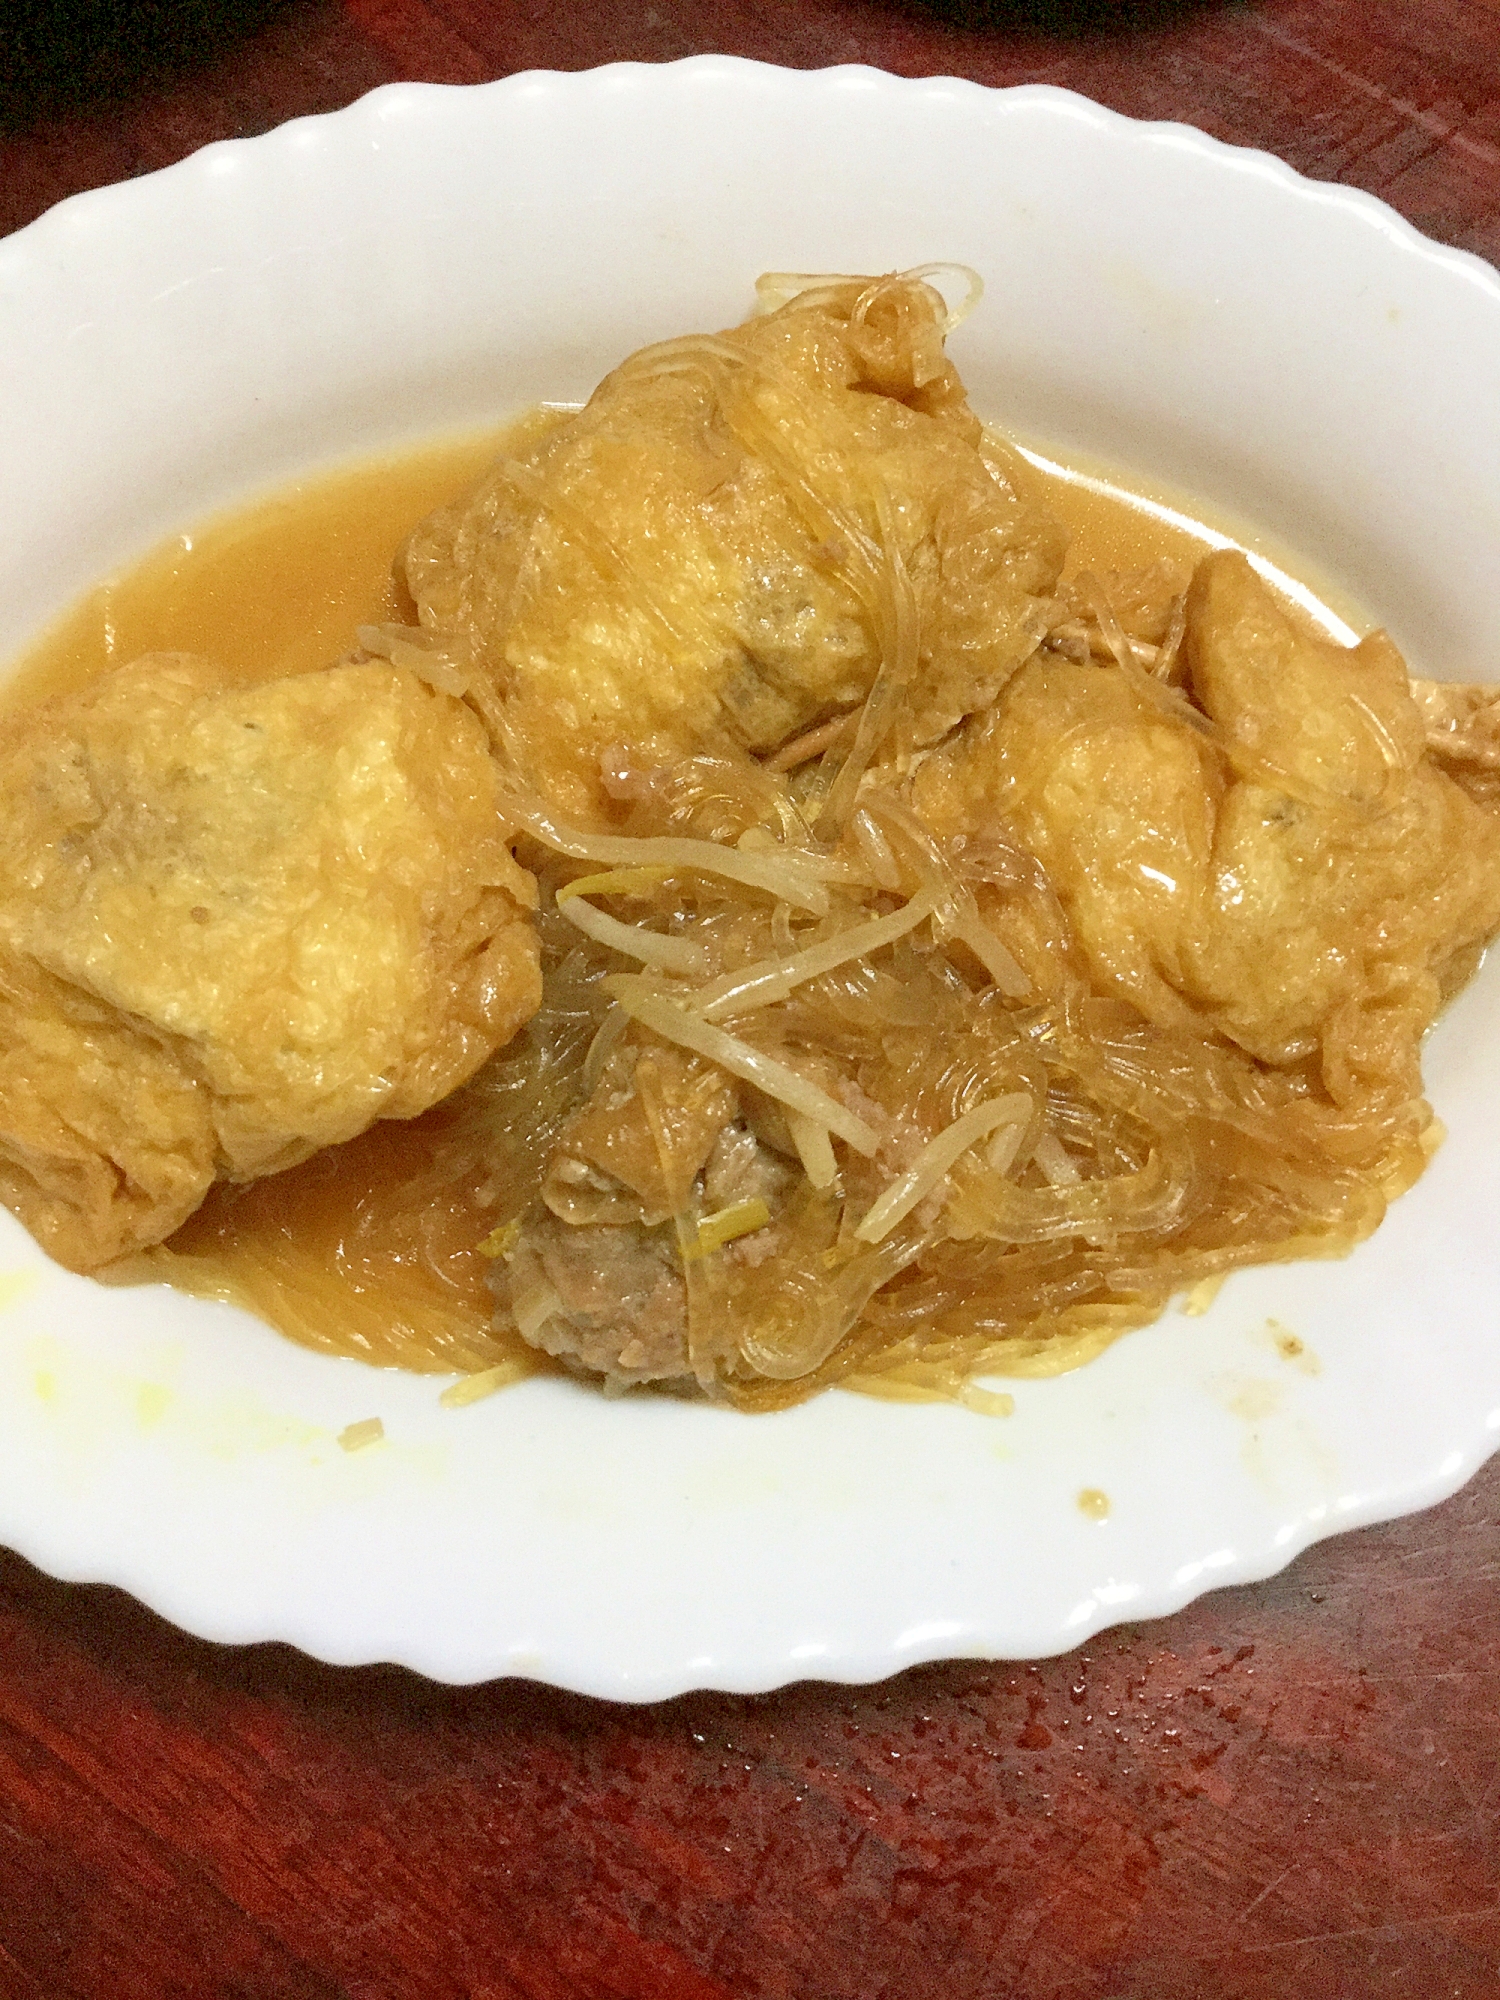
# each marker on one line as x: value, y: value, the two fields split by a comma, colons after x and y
x: 1299, y: 877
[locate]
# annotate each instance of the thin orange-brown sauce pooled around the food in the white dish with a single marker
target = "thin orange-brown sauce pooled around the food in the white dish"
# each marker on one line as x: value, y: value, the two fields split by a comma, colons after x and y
x: 373, y: 1249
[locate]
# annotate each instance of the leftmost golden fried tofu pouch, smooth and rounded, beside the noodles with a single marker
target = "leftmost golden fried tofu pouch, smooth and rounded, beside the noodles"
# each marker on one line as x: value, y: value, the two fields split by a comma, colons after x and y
x: 239, y: 925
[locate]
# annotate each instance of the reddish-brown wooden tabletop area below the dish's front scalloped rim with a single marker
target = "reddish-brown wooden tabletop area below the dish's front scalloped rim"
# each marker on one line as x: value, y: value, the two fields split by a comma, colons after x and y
x: 1285, y: 1791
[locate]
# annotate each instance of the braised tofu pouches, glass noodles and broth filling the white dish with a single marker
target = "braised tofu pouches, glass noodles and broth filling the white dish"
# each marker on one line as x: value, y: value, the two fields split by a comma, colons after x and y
x: 949, y: 951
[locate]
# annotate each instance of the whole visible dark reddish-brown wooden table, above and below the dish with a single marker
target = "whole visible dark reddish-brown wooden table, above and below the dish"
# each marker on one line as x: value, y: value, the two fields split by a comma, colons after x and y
x: 1287, y: 1791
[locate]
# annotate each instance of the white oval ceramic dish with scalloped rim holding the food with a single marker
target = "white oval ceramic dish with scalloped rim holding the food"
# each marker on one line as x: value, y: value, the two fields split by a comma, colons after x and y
x: 433, y: 259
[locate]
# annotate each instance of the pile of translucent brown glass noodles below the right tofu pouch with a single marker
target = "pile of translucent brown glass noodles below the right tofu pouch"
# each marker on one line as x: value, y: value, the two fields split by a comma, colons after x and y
x: 1153, y: 1161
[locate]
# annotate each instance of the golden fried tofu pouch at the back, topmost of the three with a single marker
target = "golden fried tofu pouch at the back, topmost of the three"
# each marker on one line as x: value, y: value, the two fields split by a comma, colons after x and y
x: 737, y: 535
